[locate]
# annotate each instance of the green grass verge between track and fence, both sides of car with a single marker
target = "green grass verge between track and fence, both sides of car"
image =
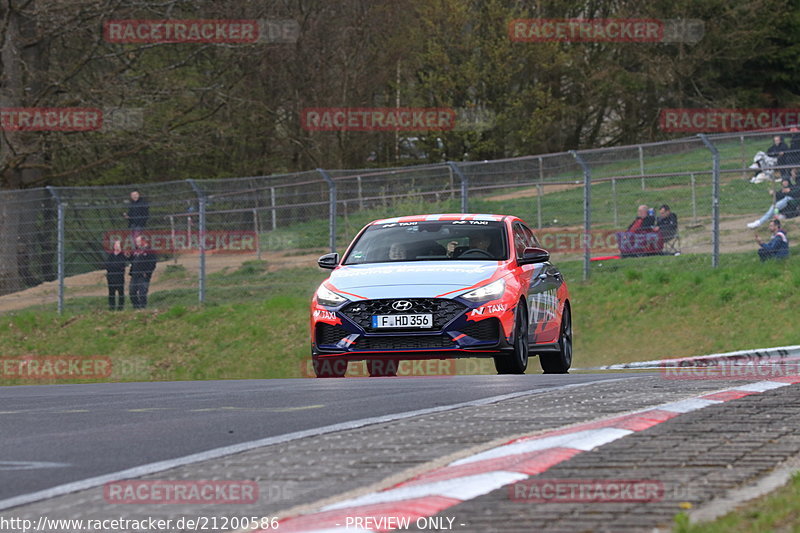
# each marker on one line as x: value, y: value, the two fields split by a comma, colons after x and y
x: 631, y: 309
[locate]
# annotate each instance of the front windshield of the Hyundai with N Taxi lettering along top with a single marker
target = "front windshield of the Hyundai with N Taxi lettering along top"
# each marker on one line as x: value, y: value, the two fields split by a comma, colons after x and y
x: 461, y: 240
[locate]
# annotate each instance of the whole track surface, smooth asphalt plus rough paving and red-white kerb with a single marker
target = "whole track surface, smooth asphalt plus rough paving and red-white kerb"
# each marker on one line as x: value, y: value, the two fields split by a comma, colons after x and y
x: 323, y: 453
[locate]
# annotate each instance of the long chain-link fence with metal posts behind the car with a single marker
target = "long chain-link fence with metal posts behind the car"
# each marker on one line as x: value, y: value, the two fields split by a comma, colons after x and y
x: 219, y: 239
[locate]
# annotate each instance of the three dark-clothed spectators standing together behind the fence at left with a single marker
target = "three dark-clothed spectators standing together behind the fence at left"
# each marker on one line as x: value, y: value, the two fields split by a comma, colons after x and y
x: 142, y: 260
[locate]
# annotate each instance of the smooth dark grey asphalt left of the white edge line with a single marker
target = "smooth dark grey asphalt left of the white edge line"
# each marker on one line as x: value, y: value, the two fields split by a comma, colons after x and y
x: 95, y: 429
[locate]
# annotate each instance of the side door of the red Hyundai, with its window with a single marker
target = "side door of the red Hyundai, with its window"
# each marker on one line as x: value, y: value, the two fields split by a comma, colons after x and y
x: 543, y: 294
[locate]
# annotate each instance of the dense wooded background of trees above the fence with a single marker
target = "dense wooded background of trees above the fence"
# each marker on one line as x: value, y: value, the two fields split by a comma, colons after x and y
x: 211, y: 110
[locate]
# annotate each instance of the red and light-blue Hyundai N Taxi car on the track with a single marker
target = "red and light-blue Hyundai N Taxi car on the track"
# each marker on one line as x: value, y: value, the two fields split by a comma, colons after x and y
x: 441, y: 286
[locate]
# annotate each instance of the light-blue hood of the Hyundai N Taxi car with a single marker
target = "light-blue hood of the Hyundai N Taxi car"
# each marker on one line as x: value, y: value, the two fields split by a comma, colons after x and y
x: 411, y: 279
